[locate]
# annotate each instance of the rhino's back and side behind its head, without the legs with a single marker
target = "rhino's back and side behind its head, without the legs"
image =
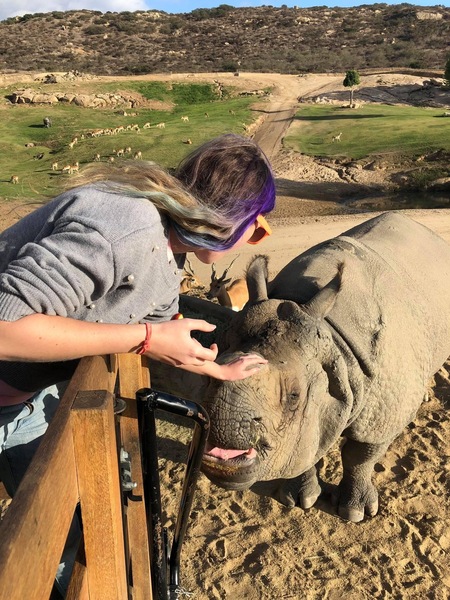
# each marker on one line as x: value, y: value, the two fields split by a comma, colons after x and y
x: 392, y: 313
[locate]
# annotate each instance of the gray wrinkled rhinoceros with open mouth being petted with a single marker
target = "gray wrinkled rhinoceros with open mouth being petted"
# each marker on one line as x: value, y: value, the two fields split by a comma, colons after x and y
x: 353, y: 329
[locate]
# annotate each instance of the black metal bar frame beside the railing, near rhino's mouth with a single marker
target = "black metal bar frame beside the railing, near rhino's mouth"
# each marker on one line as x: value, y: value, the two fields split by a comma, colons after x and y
x: 193, y: 411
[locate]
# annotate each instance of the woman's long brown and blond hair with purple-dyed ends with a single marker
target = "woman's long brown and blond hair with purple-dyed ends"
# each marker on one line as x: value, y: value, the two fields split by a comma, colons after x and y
x: 214, y: 195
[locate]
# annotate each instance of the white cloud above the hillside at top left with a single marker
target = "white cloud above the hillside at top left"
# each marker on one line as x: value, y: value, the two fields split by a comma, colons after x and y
x: 22, y: 7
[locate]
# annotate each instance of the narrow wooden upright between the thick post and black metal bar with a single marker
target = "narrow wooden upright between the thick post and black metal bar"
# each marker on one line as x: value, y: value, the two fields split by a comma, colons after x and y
x: 132, y: 376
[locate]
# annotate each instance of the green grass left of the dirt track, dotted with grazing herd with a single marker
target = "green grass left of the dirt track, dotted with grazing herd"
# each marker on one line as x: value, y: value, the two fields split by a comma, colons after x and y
x: 21, y: 124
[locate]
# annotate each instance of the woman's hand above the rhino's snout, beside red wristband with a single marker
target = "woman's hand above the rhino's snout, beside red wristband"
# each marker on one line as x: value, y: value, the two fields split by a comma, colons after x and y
x: 171, y: 343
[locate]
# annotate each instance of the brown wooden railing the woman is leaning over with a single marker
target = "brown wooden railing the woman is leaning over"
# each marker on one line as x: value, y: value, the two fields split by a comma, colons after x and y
x: 78, y: 461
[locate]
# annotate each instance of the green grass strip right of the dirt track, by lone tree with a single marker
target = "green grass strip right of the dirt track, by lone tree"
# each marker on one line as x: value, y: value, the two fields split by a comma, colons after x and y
x: 370, y: 129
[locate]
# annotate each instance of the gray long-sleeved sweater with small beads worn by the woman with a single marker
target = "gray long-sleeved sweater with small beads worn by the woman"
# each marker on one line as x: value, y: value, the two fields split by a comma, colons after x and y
x: 90, y: 255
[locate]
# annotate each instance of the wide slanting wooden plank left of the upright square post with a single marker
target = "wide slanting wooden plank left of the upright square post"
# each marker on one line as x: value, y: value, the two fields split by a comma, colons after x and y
x: 35, y: 527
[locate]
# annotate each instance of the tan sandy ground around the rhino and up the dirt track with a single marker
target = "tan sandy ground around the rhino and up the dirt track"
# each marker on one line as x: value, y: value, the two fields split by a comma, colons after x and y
x: 242, y: 546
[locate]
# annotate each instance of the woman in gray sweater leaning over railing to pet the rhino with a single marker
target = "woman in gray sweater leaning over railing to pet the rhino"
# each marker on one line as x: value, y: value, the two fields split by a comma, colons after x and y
x: 97, y: 271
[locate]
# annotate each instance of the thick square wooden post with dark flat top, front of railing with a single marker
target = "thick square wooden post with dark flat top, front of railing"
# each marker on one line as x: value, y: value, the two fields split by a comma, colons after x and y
x: 100, y: 494
